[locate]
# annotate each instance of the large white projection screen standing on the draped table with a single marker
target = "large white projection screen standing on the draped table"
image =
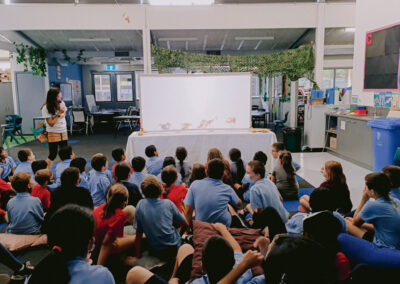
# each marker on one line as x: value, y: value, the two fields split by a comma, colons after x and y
x: 171, y: 102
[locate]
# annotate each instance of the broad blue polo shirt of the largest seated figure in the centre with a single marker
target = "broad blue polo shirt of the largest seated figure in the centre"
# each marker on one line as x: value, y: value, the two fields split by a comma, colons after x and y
x: 210, y: 198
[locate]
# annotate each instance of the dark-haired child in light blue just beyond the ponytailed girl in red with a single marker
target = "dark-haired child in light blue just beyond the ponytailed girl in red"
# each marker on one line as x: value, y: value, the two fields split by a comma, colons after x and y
x: 98, y: 181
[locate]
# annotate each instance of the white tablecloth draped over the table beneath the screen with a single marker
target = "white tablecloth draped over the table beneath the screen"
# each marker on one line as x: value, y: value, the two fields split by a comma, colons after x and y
x: 197, y: 143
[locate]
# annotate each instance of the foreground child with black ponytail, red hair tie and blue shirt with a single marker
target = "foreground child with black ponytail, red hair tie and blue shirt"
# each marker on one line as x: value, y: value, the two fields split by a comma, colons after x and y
x: 70, y: 236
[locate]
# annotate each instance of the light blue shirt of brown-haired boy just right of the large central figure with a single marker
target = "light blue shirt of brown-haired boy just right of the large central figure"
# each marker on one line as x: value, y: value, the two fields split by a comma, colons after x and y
x: 263, y: 194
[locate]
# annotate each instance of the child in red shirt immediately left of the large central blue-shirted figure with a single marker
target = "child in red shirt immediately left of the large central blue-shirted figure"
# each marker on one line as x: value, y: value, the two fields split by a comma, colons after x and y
x: 173, y: 192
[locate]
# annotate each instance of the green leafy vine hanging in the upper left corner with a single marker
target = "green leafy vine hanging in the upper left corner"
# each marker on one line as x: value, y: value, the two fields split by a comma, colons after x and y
x: 33, y: 58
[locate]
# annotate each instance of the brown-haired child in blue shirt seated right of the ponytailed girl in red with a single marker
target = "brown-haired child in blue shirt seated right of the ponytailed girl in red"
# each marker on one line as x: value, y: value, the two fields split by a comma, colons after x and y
x: 155, y: 218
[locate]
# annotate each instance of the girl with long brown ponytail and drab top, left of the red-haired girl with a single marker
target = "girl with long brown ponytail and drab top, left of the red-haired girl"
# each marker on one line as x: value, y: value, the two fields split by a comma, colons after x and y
x: 284, y: 176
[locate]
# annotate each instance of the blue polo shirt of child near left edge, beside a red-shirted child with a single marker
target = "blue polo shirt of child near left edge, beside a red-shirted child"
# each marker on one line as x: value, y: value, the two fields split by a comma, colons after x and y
x: 25, y: 214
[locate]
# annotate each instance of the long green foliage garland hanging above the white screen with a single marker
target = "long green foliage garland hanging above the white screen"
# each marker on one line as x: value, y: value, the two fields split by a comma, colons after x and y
x: 295, y: 63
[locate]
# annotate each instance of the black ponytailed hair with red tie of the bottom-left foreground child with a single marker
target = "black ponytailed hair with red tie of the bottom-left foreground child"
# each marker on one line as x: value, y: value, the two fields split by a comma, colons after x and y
x: 69, y: 233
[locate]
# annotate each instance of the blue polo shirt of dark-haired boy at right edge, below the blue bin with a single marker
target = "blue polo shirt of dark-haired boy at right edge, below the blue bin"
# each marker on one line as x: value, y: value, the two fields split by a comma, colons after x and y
x: 385, y: 216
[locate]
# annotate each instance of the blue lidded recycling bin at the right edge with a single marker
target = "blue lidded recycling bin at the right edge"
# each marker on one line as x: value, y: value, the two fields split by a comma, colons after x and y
x: 386, y: 139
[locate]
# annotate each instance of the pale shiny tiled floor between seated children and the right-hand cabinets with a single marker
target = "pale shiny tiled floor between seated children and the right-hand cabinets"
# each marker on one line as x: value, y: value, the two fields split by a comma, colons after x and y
x: 311, y: 164
